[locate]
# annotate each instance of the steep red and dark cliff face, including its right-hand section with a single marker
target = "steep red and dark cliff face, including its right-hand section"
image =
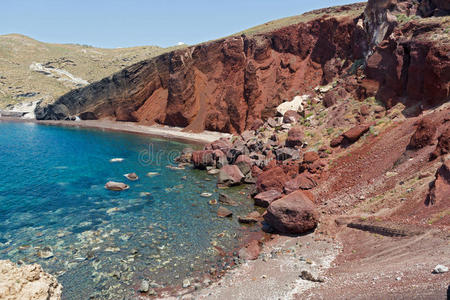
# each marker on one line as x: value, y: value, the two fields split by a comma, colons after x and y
x: 226, y: 85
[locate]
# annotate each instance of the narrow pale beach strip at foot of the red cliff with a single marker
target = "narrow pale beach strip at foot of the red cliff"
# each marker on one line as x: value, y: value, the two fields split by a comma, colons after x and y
x: 157, y: 131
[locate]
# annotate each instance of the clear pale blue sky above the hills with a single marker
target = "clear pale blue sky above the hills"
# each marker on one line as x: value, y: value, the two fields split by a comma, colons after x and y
x: 125, y: 23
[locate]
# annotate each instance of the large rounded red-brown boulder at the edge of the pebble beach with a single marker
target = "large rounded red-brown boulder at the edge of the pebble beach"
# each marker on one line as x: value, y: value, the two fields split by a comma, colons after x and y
x: 292, y: 214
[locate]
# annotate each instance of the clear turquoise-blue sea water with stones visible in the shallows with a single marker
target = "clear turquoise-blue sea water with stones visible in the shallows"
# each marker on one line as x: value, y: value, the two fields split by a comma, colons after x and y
x: 55, y: 211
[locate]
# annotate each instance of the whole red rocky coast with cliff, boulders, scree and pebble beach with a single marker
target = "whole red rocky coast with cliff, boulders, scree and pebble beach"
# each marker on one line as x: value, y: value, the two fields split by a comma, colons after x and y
x: 346, y: 150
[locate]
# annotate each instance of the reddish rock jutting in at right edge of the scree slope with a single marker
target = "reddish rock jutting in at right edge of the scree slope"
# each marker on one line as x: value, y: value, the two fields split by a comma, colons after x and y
x: 440, y: 187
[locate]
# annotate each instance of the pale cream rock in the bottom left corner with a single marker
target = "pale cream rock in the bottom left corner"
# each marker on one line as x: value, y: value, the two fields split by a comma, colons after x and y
x: 27, y: 282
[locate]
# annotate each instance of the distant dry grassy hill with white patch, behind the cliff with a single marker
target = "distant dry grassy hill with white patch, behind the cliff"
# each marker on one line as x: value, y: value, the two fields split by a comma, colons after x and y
x: 31, y: 70
